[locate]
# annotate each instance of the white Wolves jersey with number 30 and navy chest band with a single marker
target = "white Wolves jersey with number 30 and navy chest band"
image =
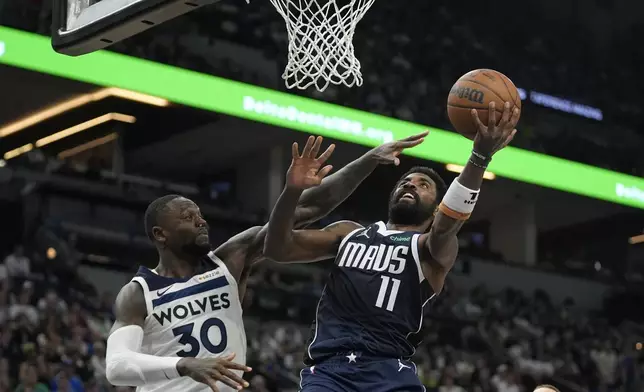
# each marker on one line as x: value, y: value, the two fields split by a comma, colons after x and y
x: 200, y: 317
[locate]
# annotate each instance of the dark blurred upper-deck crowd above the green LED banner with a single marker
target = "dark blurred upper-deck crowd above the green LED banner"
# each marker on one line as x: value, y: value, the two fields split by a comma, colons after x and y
x: 411, y: 54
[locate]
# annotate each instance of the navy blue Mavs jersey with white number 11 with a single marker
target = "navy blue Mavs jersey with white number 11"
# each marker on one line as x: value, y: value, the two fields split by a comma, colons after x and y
x: 374, y: 297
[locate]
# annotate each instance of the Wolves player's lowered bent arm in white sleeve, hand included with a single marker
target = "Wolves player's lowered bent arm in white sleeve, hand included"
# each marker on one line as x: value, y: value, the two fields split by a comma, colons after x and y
x: 127, y: 366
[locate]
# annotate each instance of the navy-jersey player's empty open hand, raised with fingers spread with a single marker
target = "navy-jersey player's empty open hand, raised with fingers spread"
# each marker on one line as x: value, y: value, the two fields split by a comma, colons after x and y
x: 306, y: 170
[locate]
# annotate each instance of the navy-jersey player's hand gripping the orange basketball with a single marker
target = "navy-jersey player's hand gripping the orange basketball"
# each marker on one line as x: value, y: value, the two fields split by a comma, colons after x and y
x: 493, y: 137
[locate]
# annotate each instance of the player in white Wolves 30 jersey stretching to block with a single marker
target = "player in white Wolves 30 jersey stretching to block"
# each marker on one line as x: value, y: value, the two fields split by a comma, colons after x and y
x: 179, y: 326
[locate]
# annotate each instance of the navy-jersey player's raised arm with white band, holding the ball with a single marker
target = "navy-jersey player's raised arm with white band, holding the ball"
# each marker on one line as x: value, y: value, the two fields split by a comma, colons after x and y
x: 461, y: 197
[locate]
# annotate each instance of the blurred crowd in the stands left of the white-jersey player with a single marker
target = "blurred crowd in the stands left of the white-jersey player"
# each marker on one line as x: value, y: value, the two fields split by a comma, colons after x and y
x: 53, y: 327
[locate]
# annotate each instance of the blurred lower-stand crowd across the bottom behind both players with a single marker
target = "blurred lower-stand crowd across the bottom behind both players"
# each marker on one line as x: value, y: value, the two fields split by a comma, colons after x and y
x: 54, y: 326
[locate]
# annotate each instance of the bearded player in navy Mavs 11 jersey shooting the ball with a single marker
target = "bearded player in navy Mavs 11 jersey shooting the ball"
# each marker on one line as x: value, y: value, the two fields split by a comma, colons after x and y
x: 370, y: 313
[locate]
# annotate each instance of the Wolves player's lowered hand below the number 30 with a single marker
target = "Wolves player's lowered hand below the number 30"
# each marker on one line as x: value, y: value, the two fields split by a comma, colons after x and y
x: 209, y: 371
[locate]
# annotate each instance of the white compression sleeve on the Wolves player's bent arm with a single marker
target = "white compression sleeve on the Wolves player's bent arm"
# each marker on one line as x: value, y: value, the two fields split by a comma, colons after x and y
x: 126, y: 366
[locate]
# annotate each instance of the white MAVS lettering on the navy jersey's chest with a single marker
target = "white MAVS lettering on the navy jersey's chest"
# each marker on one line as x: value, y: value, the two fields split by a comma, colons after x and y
x: 379, y: 258
